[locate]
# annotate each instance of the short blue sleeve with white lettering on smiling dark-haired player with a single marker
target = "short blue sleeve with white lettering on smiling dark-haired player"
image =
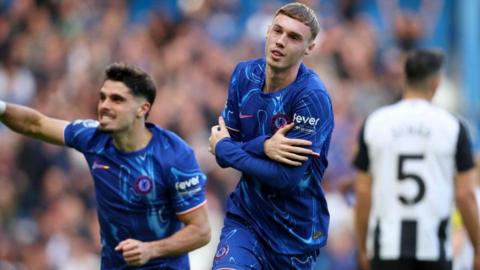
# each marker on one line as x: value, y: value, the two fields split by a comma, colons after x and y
x: 188, y: 183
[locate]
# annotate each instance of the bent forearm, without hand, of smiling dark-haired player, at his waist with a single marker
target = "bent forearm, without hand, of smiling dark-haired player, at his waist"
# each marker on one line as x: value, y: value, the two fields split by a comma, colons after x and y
x: 189, y: 238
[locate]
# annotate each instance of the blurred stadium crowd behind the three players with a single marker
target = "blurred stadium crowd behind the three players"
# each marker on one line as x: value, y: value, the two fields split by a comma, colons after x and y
x: 53, y: 52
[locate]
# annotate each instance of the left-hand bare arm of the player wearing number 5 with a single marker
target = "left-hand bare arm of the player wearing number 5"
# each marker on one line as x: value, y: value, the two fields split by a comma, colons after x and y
x: 363, y: 191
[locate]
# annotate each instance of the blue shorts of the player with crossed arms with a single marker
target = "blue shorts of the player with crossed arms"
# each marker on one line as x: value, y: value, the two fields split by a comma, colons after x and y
x: 240, y: 248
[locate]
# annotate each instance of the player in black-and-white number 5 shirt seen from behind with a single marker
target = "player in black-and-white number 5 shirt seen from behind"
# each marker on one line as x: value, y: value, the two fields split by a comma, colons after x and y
x: 414, y: 162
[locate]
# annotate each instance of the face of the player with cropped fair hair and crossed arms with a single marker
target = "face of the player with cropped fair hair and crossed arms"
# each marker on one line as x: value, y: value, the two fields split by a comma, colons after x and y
x: 288, y: 40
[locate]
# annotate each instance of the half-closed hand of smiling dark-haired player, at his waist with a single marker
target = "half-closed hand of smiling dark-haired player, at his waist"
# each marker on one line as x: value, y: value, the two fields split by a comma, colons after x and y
x: 135, y: 252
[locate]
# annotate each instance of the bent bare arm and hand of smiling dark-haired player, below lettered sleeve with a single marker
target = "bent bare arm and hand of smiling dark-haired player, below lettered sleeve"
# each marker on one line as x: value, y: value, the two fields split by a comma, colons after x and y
x: 195, y: 234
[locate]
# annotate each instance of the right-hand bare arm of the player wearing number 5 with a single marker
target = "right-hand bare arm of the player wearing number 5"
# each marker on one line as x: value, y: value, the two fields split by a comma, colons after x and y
x: 467, y: 206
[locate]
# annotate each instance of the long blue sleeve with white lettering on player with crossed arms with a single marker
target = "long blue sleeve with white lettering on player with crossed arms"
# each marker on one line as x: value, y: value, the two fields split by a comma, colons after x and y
x: 313, y: 119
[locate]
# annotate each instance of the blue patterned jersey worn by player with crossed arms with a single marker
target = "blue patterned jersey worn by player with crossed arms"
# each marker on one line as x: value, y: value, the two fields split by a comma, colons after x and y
x: 284, y: 204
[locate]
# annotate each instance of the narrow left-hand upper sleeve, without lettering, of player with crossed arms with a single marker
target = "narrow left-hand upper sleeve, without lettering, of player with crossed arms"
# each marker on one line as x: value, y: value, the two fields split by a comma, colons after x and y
x: 231, y: 111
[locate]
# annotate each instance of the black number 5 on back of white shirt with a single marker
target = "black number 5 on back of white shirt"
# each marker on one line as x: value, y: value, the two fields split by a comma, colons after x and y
x: 404, y: 176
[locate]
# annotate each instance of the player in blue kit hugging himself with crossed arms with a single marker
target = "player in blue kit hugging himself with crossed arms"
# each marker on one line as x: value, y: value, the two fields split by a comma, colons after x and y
x: 276, y: 129
